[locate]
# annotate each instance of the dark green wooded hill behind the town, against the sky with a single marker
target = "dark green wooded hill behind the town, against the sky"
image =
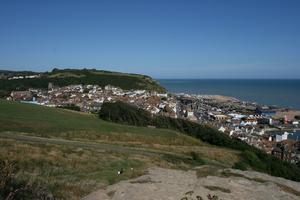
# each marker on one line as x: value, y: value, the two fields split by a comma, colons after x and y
x: 63, y: 77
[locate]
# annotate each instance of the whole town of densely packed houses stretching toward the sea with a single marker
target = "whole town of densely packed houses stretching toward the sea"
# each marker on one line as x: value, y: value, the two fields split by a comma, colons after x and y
x: 272, y: 129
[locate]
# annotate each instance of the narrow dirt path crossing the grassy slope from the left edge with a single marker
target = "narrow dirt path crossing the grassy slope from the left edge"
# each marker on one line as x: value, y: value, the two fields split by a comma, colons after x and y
x: 81, y: 144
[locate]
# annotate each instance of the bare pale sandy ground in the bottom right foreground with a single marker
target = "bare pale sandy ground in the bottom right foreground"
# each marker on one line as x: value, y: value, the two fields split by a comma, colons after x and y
x: 167, y: 184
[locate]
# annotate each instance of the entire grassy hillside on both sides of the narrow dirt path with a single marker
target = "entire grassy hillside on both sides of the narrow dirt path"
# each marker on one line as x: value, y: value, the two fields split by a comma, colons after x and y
x: 80, y: 170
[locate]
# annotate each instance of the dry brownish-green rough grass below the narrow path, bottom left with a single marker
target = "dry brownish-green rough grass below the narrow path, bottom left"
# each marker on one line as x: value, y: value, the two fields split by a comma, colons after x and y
x: 67, y: 171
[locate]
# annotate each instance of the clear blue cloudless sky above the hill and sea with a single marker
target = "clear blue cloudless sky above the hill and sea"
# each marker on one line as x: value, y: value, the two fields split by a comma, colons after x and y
x: 163, y: 39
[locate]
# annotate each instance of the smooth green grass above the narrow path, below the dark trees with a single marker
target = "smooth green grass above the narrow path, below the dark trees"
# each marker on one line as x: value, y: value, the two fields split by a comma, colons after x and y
x: 50, y: 122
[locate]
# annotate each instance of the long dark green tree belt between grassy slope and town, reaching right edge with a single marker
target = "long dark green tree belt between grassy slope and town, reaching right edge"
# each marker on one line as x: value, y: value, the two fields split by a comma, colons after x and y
x: 251, y: 157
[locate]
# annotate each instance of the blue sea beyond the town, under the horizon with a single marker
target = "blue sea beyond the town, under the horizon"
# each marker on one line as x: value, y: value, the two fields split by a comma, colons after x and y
x: 283, y: 93
